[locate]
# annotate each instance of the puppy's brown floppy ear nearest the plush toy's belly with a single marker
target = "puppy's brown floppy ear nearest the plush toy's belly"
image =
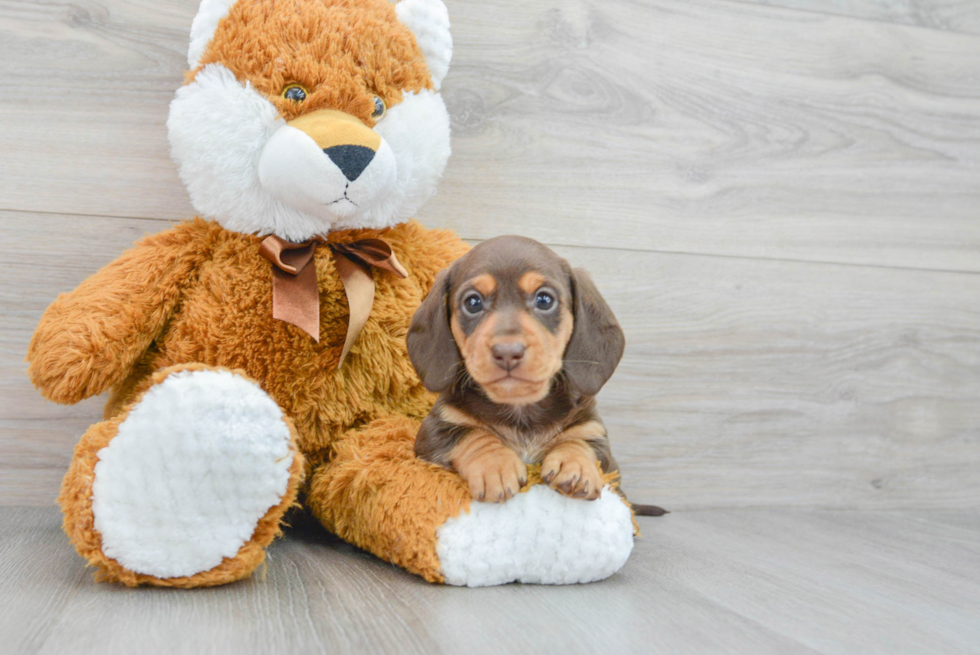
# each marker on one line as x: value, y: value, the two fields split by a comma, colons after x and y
x: 431, y: 346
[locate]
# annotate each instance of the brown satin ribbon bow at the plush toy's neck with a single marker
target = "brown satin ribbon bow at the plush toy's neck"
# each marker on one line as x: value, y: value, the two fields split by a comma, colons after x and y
x: 295, y: 296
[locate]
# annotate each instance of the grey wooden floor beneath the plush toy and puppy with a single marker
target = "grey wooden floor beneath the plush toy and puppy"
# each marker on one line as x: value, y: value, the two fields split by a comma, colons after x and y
x: 770, y: 581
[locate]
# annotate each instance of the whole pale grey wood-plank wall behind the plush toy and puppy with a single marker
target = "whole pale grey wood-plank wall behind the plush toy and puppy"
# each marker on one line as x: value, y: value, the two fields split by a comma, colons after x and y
x: 780, y: 199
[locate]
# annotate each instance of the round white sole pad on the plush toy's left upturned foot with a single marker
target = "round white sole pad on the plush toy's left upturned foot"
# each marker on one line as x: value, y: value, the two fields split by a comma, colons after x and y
x: 194, y: 467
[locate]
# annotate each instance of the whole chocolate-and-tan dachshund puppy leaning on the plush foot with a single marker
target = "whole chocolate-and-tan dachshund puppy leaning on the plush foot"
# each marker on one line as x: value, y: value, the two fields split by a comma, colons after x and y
x: 518, y: 344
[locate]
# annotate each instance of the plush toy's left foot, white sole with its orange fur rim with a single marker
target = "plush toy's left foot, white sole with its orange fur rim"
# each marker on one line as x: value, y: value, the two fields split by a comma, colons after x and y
x: 186, y: 486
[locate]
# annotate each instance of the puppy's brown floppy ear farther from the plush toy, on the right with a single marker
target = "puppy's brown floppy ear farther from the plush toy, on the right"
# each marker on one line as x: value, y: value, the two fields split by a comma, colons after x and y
x: 597, y: 341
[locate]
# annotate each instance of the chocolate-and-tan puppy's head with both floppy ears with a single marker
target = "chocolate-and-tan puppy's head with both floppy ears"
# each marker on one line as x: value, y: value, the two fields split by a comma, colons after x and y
x: 516, y: 315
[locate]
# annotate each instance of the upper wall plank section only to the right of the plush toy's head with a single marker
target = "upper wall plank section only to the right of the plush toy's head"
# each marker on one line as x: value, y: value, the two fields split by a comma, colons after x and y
x: 722, y: 128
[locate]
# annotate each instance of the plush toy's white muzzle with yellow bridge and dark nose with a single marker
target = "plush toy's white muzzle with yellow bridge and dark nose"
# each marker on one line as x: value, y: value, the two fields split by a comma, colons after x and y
x: 327, y: 164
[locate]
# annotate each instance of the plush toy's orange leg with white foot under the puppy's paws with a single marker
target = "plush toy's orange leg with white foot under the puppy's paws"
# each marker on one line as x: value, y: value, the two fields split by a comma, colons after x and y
x: 377, y: 495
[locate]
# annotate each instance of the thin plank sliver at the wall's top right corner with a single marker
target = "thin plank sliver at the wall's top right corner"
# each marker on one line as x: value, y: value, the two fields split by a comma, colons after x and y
x: 946, y: 15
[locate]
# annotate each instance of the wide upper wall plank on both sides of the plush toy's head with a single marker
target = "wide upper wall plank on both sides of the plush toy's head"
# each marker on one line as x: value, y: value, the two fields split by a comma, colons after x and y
x: 705, y: 127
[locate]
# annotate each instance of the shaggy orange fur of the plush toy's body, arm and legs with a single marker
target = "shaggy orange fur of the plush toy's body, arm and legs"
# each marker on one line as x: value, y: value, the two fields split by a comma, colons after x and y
x: 201, y: 295
